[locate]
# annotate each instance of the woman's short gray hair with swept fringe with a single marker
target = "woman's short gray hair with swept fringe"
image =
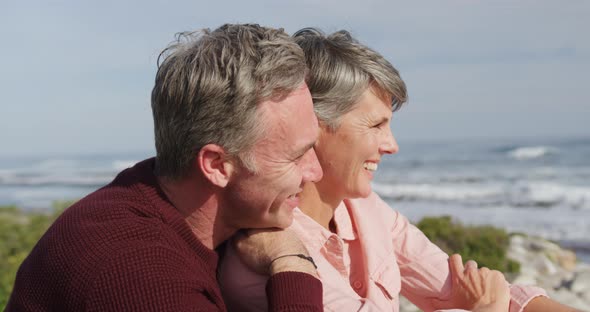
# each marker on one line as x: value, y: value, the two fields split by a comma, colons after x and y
x: 341, y: 69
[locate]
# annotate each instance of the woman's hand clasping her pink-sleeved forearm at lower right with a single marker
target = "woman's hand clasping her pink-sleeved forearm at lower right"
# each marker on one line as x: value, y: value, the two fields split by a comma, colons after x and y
x: 475, y: 289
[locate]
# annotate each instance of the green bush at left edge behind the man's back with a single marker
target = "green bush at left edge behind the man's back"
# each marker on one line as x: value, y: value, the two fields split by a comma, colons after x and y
x: 19, y: 232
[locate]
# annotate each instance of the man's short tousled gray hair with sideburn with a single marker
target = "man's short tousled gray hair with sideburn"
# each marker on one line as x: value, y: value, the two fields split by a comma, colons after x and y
x: 208, y: 88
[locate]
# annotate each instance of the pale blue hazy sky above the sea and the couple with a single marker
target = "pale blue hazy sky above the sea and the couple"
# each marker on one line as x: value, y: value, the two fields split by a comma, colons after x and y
x: 76, y: 76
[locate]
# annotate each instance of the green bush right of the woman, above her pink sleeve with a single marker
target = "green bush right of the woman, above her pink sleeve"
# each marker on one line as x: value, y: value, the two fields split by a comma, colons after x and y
x: 486, y: 245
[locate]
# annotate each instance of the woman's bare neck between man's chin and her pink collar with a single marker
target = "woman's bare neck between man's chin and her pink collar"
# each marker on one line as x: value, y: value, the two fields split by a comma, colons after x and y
x: 318, y: 205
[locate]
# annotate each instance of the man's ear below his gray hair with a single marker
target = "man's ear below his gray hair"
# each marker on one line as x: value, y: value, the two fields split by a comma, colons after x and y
x: 215, y: 164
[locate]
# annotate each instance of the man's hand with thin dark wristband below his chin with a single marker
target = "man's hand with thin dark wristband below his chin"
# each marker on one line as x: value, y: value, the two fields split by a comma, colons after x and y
x: 260, y: 250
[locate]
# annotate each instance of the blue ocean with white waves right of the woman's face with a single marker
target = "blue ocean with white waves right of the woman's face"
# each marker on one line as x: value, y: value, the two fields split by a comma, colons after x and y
x: 539, y: 187
